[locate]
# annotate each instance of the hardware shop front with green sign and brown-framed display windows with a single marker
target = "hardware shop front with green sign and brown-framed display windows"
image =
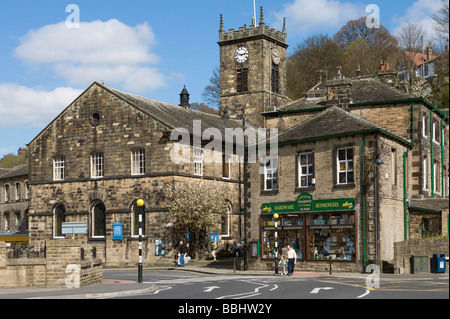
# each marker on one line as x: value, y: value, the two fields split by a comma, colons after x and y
x: 318, y: 230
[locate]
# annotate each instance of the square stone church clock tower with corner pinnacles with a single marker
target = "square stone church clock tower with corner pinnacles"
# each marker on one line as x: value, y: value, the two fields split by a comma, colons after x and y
x: 252, y: 70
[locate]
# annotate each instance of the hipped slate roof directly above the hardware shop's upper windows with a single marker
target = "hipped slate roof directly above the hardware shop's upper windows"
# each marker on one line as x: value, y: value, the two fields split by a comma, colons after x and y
x: 329, y: 123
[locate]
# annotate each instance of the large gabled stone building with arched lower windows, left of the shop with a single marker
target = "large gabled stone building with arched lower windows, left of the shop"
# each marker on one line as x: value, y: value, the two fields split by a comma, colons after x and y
x: 106, y: 150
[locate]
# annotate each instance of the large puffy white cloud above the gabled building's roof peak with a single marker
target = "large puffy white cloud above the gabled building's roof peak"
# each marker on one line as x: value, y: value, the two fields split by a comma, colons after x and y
x: 110, y: 51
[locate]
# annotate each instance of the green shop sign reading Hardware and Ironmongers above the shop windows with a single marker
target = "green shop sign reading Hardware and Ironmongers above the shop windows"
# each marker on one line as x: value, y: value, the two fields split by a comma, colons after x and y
x: 305, y: 203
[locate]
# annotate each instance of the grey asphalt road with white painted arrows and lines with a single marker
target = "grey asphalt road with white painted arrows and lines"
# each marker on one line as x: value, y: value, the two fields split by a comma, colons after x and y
x: 195, y: 286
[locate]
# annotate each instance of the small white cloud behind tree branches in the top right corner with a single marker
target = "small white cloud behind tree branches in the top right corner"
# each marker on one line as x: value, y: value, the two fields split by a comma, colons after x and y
x: 420, y: 12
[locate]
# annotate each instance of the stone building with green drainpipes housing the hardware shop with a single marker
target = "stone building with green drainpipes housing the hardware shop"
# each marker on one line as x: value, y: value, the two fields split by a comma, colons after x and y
x: 360, y: 166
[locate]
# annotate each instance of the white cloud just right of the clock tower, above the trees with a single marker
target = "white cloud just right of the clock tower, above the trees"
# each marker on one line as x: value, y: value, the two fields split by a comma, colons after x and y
x: 304, y: 16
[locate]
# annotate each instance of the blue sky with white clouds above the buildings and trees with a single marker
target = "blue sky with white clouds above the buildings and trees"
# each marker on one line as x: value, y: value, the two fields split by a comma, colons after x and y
x: 146, y: 47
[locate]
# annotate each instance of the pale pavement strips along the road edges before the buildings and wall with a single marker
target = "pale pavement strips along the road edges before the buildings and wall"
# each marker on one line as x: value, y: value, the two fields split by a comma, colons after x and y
x: 111, y: 289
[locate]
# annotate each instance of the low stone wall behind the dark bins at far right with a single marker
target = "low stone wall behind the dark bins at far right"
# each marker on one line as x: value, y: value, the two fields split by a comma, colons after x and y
x: 405, y: 249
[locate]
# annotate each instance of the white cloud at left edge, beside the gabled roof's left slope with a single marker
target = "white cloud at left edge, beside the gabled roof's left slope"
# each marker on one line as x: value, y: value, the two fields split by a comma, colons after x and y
x: 21, y: 106
